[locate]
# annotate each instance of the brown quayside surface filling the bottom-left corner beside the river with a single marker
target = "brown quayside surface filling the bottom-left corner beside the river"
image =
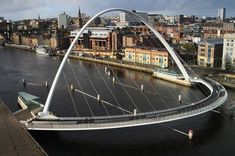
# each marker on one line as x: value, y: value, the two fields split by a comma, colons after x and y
x: 14, y: 138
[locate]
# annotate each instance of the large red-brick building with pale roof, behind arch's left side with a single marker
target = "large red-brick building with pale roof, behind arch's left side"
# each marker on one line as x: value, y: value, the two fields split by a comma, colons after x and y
x: 97, y: 41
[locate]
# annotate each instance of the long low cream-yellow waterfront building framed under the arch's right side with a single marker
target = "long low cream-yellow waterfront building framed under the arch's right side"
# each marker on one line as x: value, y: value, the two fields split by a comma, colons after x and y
x: 152, y: 56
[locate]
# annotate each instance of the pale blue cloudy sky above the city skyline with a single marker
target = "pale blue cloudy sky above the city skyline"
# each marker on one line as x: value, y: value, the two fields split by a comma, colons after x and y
x: 24, y: 9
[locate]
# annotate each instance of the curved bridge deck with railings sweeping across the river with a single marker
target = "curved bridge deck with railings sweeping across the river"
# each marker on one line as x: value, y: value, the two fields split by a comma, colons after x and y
x: 217, y: 97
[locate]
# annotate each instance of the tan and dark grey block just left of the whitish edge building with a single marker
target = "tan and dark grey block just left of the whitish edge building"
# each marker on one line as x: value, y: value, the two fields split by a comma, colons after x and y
x: 210, y: 53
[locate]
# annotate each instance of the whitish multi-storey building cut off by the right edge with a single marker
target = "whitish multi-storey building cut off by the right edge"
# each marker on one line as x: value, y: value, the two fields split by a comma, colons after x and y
x: 228, y: 51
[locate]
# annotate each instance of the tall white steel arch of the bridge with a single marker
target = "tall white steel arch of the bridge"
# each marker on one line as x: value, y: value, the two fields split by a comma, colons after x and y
x: 45, y: 113
